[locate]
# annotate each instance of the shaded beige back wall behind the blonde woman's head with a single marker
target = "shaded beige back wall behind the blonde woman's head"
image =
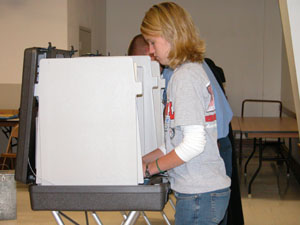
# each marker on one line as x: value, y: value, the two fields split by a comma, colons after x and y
x: 243, y: 37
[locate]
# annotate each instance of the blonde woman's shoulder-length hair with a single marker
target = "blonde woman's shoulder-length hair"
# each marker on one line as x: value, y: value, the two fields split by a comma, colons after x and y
x: 173, y: 23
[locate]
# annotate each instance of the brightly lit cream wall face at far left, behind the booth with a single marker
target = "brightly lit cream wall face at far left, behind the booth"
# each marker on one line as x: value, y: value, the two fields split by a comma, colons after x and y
x: 26, y: 23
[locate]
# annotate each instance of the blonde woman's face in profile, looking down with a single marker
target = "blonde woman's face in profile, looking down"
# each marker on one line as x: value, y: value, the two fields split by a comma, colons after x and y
x: 159, y: 47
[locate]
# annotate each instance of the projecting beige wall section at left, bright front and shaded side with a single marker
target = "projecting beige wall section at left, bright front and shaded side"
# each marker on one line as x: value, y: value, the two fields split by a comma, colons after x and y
x: 34, y: 23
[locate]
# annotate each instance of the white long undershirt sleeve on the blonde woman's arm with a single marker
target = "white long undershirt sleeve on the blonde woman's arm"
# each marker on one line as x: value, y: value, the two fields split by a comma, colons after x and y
x: 193, y: 142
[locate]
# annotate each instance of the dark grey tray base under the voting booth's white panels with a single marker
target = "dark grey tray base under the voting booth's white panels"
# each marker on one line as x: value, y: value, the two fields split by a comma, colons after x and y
x: 99, y: 198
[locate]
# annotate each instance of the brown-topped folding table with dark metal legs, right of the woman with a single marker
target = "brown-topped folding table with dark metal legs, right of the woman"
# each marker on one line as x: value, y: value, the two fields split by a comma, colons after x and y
x: 267, y: 127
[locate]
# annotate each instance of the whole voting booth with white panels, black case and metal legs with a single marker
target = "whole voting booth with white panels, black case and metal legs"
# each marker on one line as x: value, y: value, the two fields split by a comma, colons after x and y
x: 84, y: 125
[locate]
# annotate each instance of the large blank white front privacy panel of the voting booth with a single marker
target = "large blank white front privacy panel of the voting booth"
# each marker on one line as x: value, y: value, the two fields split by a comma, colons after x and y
x: 87, y: 122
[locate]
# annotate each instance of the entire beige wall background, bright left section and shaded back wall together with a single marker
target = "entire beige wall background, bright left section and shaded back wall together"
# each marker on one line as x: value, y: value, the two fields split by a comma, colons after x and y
x: 243, y: 37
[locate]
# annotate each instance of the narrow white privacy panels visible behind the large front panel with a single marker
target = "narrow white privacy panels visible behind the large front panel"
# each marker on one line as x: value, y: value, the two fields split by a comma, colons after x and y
x: 149, y: 104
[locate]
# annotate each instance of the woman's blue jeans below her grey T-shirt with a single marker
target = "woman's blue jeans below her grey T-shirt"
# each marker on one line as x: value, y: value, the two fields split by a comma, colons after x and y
x: 201, y: 209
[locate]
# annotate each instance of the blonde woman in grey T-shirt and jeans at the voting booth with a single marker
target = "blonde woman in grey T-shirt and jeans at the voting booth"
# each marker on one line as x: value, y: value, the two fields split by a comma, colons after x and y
x: 190, y: 154
